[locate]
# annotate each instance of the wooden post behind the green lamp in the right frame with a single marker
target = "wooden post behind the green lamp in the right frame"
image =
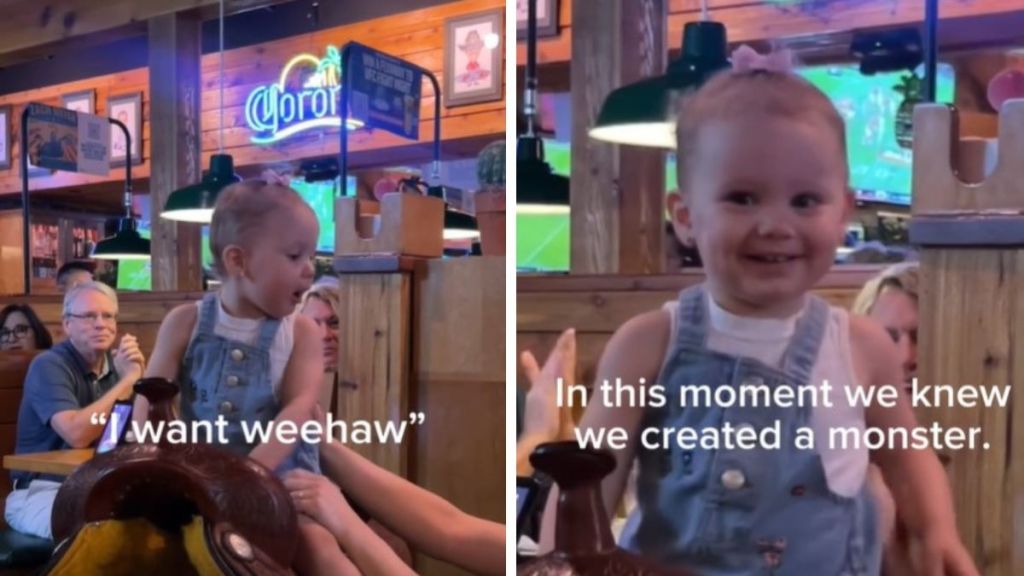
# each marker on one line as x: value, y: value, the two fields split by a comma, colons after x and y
x: 618, y: 193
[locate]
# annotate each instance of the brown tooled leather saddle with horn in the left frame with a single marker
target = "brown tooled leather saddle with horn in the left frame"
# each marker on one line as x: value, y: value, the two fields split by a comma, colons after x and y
x: 169, y: 484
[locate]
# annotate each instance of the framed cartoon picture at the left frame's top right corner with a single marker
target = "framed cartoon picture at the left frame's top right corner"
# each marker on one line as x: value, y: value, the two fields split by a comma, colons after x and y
x: 474, y: 58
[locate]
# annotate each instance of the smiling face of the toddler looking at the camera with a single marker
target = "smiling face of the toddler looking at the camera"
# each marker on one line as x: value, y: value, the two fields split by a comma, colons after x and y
x: 767, y: 204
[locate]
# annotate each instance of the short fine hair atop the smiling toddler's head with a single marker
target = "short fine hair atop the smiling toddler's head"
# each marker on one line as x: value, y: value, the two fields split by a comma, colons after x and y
x: 749, y: 93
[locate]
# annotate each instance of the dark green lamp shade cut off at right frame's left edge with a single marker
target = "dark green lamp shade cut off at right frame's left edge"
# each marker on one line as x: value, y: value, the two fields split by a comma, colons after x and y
x: 539, y: 190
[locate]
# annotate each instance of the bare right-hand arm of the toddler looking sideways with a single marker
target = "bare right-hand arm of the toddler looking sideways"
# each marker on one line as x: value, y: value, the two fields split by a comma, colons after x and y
x: 300, y: 390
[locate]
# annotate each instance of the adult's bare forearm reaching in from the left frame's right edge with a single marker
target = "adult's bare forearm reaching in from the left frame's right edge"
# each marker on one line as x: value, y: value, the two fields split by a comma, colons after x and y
x: 429, y: 522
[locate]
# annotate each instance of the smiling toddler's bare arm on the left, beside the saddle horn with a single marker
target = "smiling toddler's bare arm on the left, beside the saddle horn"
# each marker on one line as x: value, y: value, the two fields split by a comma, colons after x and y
x: 635, y: 351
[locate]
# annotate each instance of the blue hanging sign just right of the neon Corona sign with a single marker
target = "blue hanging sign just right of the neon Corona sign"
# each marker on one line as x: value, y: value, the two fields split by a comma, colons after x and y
x: 386, y: 92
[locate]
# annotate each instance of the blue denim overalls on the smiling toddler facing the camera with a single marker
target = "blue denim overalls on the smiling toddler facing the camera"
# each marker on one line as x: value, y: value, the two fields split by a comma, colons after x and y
x: 733, y: 513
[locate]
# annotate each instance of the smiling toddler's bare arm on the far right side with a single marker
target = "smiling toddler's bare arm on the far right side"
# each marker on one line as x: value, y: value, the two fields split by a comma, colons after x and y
x: 916, y: 477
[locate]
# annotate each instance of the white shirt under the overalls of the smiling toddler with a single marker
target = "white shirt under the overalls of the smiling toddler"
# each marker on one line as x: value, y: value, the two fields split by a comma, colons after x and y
x: 766, y: 341
